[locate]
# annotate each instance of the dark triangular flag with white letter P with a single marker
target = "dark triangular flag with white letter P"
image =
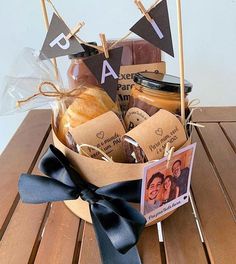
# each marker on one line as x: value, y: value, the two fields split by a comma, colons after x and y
x: 56, y: 44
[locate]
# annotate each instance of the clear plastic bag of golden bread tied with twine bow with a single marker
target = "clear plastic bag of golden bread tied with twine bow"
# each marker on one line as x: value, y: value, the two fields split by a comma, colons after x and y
x: 32, y: 84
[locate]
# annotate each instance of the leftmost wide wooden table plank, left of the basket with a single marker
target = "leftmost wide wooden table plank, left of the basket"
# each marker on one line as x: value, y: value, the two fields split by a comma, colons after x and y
x: 19, y: 156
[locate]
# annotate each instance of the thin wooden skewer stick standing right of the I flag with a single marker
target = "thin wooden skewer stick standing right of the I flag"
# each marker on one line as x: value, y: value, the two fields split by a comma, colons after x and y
x: 181, y: 61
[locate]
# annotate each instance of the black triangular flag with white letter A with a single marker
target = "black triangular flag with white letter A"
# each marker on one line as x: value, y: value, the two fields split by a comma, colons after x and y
x: 106, y: 71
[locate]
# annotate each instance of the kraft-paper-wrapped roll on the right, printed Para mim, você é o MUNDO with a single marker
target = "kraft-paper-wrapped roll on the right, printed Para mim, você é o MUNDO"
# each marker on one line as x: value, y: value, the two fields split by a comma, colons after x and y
x: 149, y: 139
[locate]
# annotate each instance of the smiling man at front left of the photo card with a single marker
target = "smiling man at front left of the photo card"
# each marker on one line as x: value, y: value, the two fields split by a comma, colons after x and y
x: 153, y: 188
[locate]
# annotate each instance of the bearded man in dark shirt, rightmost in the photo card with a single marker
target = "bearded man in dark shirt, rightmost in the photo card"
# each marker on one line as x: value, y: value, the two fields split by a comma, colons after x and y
x: 180, y: 176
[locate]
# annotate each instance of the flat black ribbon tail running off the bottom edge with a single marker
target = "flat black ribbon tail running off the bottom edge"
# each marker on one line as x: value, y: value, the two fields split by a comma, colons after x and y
x: 109, y: 254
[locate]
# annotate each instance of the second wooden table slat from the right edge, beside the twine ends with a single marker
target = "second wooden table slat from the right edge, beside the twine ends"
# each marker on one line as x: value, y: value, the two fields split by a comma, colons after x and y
x: 225, y: 163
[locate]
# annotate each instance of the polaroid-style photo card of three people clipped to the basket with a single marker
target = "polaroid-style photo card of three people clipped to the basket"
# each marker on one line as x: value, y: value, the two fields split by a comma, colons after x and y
x: 166, y: 186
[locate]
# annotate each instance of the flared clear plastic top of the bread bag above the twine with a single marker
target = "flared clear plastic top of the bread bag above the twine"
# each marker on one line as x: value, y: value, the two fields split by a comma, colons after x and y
x: 23, y: 82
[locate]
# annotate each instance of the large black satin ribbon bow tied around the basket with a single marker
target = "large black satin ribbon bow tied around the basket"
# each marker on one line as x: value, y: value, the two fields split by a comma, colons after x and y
x: 117, y: 224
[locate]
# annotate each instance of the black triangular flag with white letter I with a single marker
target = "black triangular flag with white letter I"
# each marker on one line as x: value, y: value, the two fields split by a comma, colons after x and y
x: 158, y: 31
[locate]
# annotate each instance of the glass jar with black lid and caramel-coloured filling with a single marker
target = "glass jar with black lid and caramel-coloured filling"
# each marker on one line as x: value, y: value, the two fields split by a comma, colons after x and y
x: 152, y: 92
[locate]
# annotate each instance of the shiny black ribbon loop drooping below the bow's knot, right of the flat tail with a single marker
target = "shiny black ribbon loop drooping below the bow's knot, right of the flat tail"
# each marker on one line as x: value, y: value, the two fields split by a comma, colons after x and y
x: 121, y: 223
